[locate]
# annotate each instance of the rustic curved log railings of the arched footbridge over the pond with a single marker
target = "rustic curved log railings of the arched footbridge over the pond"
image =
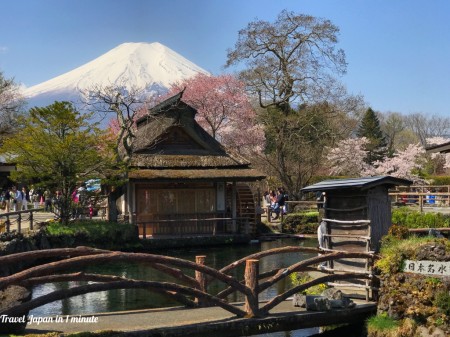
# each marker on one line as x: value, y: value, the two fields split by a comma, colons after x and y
x: 189, y: 290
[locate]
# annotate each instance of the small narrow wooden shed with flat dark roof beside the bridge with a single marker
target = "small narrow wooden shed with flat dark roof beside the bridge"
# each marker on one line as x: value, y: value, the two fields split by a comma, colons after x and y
x: 356, y: 215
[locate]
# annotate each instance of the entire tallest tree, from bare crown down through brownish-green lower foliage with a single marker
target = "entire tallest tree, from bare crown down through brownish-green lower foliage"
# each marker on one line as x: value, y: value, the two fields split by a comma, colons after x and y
x: 290, y: 66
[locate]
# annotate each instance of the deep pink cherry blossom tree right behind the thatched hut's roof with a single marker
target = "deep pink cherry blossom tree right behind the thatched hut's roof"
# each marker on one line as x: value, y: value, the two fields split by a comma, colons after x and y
x: 224, y: 110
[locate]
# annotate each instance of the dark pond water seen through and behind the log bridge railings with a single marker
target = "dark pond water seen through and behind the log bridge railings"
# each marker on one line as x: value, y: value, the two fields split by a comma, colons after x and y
x: 133, y: 299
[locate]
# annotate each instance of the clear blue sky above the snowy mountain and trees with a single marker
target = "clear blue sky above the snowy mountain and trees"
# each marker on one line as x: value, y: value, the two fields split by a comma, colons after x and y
x: 398, y: 51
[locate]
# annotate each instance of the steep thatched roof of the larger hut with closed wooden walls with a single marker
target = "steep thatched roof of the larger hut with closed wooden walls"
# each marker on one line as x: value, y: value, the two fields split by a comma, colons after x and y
x: 170, y: 144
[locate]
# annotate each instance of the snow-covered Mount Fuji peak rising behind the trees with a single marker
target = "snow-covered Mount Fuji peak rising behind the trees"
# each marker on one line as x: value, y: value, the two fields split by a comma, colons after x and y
x: 151, y: 66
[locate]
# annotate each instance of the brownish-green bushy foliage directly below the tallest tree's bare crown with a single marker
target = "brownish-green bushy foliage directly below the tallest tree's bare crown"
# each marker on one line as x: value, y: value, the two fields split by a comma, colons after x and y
x: 305, y: 132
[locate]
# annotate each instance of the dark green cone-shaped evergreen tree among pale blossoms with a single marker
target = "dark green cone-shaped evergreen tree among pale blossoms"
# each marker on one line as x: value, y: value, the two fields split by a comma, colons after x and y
x: 370, y: 128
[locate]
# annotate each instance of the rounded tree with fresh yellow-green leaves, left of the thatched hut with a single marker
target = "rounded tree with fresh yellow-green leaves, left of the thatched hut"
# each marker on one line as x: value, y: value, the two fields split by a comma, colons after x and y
x: 57, y: 147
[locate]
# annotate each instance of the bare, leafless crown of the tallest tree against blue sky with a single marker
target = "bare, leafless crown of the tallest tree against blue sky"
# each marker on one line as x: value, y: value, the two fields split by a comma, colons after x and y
x: 288, y: 60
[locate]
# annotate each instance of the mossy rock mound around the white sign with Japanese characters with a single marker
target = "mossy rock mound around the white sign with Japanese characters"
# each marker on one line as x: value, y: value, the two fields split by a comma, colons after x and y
x: 421, y: 299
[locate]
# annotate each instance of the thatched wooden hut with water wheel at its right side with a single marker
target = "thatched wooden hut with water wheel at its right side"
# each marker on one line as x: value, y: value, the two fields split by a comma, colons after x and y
x: 183, y: 181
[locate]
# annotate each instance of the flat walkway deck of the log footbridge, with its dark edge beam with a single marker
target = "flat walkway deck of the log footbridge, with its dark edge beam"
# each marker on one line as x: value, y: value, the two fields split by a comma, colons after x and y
x: 211, y: 321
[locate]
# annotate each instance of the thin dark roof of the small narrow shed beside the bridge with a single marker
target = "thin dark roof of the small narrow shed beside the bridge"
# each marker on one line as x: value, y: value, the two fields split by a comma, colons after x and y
x: 359, y: 183
